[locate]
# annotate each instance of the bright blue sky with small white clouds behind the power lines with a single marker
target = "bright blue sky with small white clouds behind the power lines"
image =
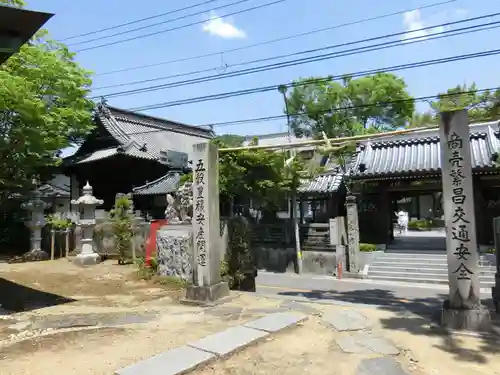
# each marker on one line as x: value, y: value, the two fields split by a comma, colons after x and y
x: 284, y: 19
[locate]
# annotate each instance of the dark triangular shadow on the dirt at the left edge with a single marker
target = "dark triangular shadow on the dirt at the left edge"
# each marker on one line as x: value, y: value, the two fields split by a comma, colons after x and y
x: 16, y: 297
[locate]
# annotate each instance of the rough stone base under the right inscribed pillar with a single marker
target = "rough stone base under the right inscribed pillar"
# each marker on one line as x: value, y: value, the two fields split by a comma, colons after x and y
x: 476, y: 319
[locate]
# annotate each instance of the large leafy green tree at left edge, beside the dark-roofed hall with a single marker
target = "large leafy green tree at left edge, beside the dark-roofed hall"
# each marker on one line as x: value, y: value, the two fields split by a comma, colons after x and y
x: 43, y: 109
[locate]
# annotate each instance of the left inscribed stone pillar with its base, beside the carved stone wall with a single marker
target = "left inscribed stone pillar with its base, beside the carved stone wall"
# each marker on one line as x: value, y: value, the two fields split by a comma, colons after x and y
x: 208, y: 250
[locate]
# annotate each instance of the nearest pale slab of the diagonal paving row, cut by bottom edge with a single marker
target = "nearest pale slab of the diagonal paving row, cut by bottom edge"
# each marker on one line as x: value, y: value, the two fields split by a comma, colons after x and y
x: 176, y: 361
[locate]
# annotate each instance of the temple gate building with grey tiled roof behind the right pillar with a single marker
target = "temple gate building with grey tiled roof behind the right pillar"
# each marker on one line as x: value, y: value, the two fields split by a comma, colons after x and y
x: 404, y: 172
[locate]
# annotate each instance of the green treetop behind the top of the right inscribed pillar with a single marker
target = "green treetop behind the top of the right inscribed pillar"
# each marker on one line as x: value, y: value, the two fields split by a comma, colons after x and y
x: 482, y: 106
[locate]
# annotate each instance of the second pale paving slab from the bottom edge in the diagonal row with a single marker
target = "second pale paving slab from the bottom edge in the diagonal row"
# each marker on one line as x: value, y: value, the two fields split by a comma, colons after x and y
x: 228, y: 341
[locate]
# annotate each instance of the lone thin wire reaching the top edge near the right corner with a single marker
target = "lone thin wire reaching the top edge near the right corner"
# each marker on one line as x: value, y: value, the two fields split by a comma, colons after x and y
x: 338, y: 26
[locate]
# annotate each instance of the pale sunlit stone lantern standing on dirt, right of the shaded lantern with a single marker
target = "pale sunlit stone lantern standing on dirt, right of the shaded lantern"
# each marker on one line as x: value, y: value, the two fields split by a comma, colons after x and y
x: 87, y: 203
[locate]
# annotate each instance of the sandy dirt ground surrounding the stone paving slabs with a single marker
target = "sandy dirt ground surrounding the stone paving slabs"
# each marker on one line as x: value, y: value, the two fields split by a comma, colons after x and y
x: 96, y: 320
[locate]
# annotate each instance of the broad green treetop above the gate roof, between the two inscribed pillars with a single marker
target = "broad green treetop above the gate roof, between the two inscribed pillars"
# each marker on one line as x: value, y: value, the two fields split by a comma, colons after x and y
x: 348, y: 108
